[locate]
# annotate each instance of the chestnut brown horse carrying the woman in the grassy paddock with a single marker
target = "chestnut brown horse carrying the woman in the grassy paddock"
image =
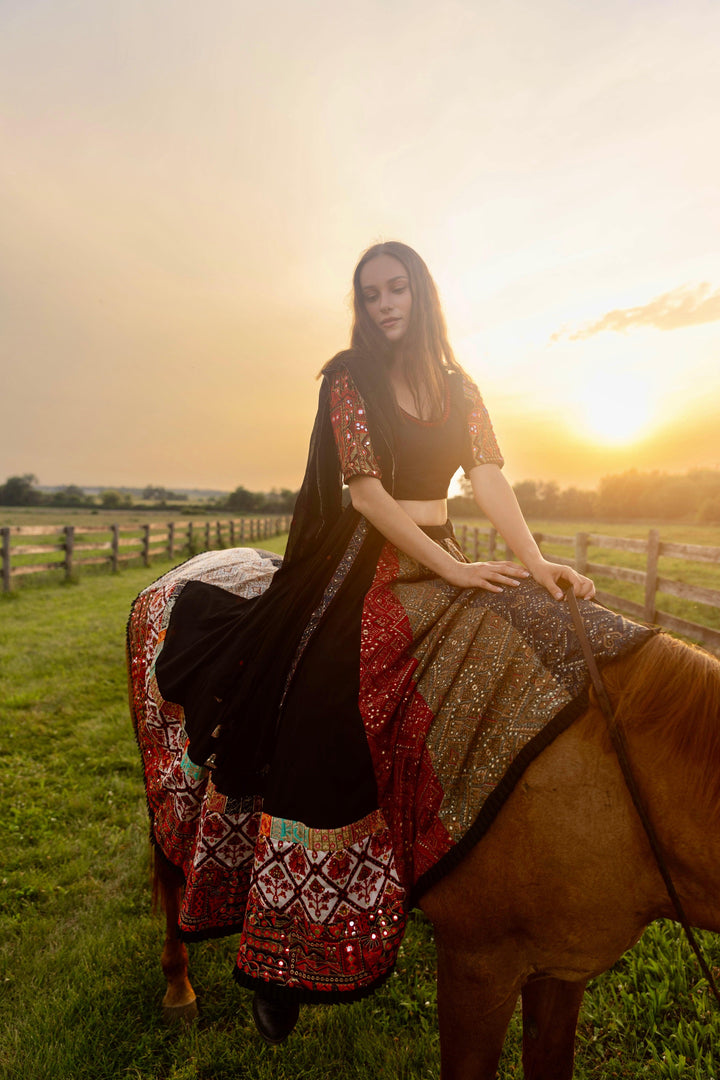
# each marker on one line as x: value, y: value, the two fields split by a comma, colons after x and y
x: 565, y: 882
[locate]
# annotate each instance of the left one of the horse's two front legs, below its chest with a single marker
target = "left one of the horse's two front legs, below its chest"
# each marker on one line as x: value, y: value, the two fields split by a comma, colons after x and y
x: 476, y: 1002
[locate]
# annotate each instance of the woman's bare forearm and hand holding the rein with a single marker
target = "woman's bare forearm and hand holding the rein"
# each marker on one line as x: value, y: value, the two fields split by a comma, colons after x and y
x: 497, y: 501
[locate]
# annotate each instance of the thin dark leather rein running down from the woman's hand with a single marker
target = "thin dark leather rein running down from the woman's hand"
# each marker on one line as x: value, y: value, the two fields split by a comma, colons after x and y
x: 620, y: 745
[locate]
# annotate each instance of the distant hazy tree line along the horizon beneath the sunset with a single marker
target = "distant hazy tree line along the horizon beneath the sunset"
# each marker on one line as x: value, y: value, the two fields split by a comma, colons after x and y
x: 629, y: 496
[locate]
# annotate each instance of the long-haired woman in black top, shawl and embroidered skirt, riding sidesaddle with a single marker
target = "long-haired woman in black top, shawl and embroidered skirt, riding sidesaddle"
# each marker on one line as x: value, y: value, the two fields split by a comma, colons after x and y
x: 375, y: 708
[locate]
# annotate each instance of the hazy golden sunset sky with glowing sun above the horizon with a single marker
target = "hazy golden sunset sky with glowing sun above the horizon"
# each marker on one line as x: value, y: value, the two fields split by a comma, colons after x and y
x: 185, y: 191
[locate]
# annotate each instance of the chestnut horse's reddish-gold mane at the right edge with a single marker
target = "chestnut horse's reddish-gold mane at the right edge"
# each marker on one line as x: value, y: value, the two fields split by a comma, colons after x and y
x: 672, y: 691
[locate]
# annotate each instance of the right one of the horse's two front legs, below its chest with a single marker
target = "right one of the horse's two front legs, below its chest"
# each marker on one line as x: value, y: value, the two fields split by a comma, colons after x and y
x: 550, y: 1018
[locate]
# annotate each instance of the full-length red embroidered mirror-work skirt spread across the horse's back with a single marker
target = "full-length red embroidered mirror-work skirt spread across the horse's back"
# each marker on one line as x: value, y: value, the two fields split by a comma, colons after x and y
x: 410, y: 712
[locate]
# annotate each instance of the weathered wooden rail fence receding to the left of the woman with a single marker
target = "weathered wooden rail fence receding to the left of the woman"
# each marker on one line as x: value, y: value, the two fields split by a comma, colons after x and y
x: 78, y: 546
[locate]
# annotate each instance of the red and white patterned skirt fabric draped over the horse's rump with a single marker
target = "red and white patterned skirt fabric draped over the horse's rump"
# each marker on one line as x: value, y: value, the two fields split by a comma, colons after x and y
x: 209, y: 836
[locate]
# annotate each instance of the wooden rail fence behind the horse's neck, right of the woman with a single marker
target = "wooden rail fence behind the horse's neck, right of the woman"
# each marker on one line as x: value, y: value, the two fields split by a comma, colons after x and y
x: 482, y: 544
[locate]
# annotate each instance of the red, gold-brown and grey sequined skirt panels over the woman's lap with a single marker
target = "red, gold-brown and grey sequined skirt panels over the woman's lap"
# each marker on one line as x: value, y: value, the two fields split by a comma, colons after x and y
x: 457, y: 685
